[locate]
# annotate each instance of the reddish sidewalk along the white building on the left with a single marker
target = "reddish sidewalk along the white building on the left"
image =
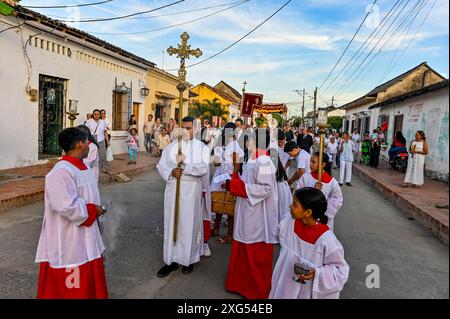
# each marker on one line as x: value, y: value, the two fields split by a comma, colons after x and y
x: 21, y: 186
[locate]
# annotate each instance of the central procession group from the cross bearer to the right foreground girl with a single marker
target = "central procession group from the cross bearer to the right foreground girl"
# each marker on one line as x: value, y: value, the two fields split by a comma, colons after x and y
x: 297, y: 213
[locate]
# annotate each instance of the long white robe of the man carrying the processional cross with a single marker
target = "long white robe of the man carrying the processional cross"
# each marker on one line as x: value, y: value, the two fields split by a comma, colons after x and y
x: 187, y: 249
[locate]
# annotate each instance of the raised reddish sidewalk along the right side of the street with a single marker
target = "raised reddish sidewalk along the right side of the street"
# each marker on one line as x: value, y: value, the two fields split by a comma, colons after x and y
x: 427, y: 204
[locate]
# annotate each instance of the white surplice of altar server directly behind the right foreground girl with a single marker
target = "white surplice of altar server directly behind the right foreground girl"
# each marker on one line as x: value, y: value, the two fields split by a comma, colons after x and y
x: 332, y: 192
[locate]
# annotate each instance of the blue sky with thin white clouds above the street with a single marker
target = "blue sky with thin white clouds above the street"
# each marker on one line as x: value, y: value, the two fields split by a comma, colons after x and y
x: 294, y: 50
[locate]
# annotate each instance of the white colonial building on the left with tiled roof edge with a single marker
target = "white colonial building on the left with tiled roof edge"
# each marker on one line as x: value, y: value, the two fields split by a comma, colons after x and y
x: 48, y: 66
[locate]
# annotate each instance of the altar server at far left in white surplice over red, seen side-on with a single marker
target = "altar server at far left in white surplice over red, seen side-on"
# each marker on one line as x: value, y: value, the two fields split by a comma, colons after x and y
x: 70, y: 245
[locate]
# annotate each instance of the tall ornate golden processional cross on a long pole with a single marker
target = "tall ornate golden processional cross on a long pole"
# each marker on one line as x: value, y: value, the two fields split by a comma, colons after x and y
x: 183, y: 52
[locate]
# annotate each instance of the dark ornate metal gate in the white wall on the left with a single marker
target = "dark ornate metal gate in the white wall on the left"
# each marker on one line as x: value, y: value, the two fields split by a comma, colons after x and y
x: 52, y: 97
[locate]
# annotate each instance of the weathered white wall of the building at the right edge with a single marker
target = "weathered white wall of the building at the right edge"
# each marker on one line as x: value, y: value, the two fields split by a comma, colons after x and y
x: 431, y: 116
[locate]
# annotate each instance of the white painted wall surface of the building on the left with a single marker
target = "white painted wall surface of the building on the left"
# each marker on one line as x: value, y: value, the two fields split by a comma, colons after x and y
x: 90, y: 84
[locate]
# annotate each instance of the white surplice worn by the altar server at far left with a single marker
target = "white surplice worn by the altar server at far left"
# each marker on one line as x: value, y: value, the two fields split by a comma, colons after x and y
x: 64, y: 242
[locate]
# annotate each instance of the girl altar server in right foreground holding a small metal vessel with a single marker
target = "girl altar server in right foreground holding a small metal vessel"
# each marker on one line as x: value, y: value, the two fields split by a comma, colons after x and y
x: 311, y: 264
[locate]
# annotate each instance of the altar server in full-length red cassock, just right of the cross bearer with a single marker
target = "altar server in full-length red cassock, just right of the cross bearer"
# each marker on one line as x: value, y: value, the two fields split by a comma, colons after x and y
x: 256, y: 219
